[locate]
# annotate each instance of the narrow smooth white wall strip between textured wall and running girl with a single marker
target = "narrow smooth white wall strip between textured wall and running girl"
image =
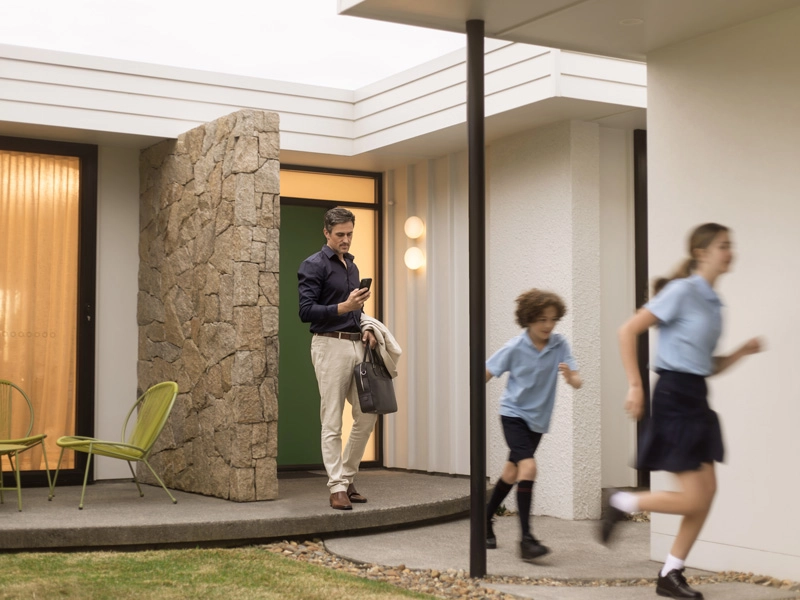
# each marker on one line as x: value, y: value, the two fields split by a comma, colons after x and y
x: 617, y: 279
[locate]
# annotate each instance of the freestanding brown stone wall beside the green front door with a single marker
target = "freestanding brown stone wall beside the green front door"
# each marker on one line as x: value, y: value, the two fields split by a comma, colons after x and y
x: 208, y: 303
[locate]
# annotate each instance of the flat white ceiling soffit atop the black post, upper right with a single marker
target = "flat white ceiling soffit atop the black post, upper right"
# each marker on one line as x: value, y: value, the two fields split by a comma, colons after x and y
x: 620, y: 28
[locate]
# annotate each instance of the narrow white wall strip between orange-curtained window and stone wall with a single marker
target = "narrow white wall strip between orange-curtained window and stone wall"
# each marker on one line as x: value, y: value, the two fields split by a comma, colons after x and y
x: 117, y: 290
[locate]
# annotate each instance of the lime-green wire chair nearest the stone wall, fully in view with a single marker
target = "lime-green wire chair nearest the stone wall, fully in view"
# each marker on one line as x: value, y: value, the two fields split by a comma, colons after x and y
x: 152, y: 411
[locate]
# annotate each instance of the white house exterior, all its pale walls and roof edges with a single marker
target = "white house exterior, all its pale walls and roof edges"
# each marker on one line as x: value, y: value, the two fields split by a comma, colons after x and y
x: 560, y: 215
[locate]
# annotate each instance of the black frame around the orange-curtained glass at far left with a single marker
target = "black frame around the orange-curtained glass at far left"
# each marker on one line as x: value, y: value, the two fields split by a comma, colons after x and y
x: 87, y: 285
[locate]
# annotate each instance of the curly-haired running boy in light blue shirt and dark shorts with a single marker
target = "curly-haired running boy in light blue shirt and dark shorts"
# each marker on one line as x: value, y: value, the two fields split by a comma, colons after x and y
x: 533, y: 361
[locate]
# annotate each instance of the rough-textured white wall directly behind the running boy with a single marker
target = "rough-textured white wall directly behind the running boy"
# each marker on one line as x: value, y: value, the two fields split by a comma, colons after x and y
x: 543, y: 231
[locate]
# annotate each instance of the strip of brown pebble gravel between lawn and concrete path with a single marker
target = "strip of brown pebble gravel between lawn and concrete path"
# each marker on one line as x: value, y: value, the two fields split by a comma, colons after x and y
x: 457, y: 583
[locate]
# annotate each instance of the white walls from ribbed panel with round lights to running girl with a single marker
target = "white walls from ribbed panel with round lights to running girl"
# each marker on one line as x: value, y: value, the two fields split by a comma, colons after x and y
x: 558, y: 200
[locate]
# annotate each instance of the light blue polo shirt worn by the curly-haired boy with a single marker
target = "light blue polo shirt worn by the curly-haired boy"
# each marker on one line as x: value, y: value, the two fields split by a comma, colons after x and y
x: 531, y: 389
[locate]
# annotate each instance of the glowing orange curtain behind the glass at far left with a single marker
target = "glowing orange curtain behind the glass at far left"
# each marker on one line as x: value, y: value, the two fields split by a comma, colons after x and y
x: 38, y: 289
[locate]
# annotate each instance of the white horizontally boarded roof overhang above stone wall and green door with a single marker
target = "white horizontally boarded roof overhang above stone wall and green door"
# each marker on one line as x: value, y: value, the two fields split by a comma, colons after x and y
x: 412, y: 116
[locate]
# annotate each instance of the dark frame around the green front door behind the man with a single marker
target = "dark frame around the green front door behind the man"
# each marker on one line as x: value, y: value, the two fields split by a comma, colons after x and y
x: 378, y: 290
